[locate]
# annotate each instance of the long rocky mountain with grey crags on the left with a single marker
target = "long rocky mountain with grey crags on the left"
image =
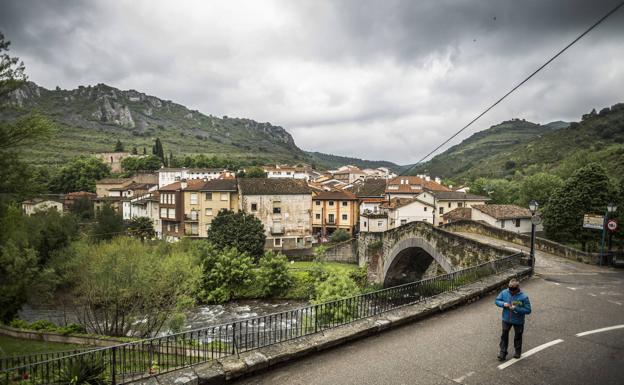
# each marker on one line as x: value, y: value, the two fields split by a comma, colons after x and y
x: 92, y: 118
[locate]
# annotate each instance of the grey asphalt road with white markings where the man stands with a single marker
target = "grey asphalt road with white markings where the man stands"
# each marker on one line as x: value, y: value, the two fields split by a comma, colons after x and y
x: 460, y: 346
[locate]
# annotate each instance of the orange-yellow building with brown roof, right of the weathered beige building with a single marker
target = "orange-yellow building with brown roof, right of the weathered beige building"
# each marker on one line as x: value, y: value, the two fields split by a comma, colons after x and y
x: 333, y: 210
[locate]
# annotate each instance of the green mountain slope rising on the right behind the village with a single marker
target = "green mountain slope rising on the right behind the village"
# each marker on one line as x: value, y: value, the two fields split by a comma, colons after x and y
x: 525, y: 147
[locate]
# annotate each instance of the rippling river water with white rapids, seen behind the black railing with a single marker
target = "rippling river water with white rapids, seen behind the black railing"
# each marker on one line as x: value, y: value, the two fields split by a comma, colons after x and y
x: 196, y: 318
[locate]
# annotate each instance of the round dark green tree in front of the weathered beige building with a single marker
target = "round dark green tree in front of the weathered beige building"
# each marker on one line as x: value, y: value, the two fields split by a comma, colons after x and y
x: 239, y: 230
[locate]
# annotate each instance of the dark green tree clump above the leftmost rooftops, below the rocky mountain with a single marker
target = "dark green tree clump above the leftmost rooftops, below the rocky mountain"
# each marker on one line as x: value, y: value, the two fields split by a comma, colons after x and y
x: 80, y: 175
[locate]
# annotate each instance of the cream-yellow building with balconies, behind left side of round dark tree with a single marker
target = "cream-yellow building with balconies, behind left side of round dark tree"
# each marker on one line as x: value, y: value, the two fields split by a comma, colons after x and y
x: 203, y: 203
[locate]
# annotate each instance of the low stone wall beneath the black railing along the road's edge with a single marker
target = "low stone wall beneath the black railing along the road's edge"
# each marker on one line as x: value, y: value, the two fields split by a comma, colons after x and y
x: 223, y: 370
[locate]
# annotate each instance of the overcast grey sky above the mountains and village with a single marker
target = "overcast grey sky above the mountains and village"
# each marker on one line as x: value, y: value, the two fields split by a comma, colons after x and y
x: 374, y: 79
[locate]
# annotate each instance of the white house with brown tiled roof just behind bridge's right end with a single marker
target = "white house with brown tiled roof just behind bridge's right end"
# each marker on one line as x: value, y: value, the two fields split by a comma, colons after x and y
x: 508, y: 217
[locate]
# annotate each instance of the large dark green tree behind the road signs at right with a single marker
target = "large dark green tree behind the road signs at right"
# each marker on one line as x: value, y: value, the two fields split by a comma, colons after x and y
x: 587, y: 191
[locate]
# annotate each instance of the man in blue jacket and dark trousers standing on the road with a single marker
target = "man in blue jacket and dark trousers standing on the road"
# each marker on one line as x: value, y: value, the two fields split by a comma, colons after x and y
x: 515, y: 306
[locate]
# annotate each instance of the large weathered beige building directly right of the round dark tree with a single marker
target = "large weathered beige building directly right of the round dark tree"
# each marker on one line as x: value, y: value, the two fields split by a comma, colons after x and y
x: 284, y: 206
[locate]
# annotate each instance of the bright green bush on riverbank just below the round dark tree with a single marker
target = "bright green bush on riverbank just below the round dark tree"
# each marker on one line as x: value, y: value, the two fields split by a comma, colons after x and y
x: 225, y: 271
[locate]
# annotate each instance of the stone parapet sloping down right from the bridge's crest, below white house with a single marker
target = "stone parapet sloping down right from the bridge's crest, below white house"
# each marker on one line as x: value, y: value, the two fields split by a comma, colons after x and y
x: 541, y: 244
